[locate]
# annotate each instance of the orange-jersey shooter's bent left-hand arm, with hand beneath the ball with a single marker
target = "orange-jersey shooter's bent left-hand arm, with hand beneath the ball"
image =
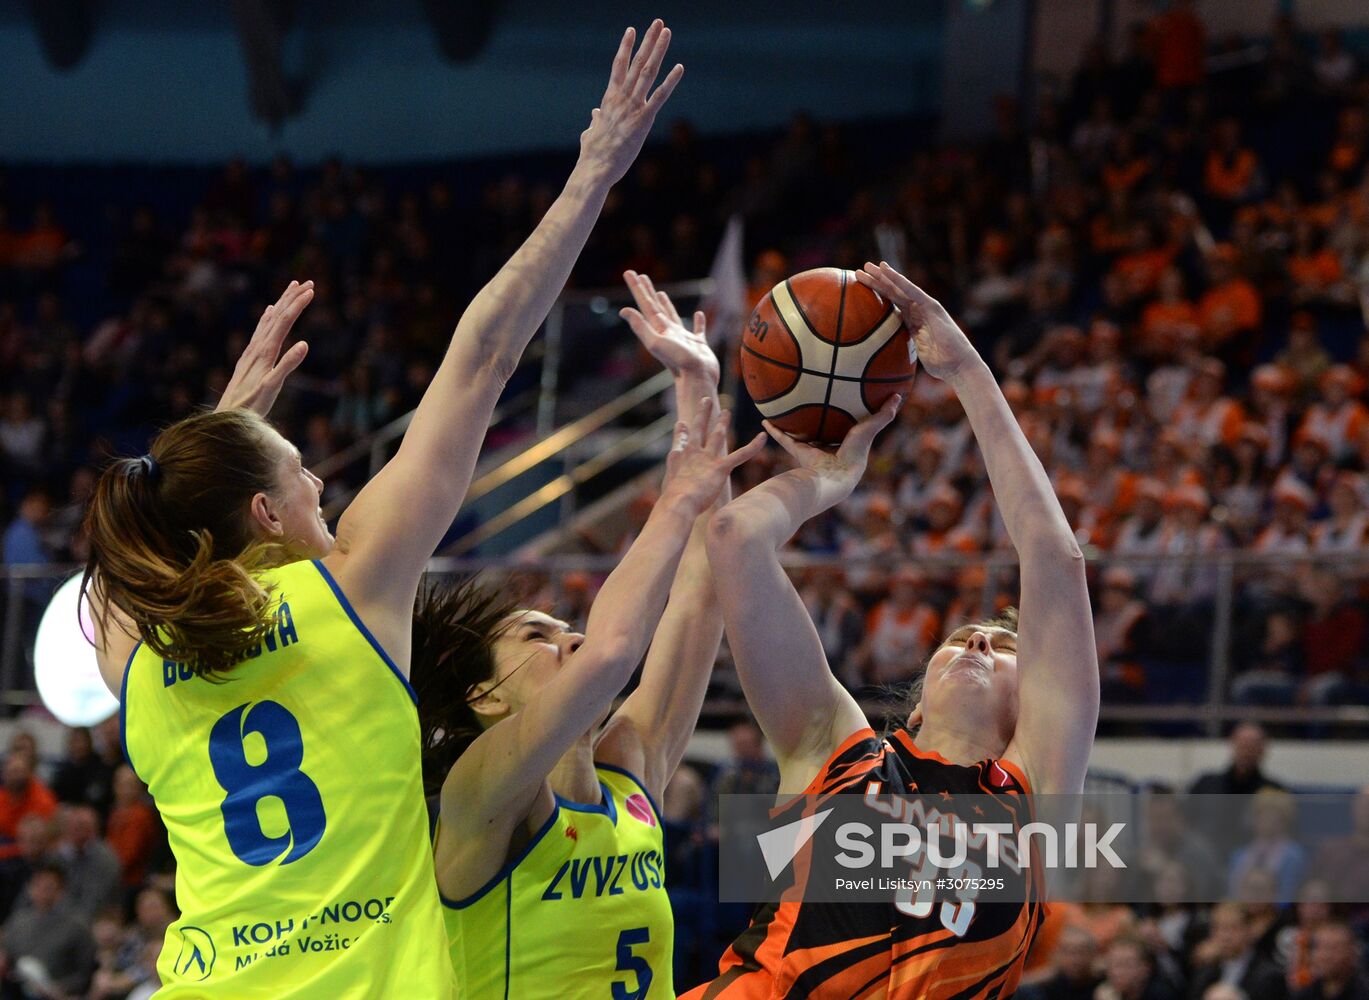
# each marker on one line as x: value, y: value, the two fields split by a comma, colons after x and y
x: 803, y: 710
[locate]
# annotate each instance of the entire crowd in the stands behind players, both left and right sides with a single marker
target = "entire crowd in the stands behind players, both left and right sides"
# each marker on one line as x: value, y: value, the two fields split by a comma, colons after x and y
x: 1167, y: 261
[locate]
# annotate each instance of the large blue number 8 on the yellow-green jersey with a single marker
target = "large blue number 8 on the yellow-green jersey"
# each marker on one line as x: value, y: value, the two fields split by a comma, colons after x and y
x: 279, y: 776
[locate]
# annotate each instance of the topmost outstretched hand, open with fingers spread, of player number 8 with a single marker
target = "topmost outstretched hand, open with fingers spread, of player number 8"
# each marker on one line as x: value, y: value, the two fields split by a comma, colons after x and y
x: 619, y: 125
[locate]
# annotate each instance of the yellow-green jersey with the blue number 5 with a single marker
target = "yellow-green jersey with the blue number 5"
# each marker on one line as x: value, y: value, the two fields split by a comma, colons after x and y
x: 581, y: 914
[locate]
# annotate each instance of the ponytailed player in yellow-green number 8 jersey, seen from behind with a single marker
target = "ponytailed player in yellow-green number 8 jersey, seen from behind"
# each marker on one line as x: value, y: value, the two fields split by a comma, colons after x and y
x: 264, y: 666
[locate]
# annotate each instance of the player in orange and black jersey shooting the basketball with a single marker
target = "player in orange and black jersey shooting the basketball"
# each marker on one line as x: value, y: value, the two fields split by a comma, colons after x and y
x: 1006, y: 710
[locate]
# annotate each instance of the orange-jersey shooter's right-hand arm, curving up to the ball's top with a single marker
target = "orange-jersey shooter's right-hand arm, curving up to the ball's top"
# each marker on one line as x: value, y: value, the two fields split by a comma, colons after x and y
x: 1058, y: 658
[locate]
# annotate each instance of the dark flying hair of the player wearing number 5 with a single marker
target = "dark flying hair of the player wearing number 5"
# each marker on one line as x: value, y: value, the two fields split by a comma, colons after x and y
x: 455, y: 627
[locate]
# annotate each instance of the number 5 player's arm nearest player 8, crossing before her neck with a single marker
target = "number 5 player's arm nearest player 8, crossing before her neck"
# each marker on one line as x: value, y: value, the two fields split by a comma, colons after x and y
x: 494, y: 787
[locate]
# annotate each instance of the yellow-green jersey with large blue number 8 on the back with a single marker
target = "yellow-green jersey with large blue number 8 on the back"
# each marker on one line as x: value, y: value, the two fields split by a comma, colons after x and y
x: 294, y: 799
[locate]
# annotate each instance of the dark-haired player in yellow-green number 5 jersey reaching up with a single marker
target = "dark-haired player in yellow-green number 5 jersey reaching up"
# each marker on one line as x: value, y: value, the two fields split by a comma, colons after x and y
x: 550, y: 851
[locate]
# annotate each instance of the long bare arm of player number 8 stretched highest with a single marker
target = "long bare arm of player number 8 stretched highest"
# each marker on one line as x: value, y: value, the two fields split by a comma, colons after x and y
x: 394, y: 527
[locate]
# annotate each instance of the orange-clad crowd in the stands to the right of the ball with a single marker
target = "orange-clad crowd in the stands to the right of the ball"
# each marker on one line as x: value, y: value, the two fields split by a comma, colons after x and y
x: 1168, y: 266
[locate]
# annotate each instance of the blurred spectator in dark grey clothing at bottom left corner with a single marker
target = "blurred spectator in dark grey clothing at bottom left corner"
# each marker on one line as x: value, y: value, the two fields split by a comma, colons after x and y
x: 49, y: 932
